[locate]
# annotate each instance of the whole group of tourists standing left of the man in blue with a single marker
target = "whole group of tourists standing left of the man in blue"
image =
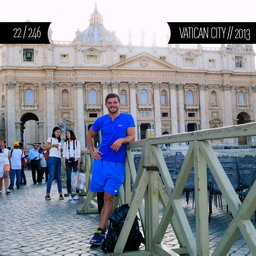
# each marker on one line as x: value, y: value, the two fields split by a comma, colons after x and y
x: 44, y: 161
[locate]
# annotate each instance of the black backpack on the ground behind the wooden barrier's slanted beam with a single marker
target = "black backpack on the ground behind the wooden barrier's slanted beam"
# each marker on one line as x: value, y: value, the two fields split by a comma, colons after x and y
x: 135, y: 237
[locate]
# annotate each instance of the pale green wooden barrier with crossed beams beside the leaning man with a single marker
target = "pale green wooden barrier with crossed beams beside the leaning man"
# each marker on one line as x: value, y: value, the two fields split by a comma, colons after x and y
x: 153, y: 183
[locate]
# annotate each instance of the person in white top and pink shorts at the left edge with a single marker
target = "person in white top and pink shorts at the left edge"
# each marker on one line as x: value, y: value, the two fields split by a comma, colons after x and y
x: 4, y: 166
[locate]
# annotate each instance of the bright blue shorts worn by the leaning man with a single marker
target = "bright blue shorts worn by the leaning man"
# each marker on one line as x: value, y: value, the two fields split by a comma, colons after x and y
x: 107, y: 176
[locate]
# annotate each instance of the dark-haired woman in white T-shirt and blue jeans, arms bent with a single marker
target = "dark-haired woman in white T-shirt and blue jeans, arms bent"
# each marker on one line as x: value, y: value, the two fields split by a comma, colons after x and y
x: 54, y: 162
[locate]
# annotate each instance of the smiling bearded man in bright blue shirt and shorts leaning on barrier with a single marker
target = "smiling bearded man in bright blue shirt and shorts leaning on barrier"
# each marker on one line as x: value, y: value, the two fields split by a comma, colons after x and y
x: 108, y: 170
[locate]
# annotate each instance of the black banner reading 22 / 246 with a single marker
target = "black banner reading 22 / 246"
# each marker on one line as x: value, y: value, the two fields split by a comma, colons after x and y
x: 24, y: 32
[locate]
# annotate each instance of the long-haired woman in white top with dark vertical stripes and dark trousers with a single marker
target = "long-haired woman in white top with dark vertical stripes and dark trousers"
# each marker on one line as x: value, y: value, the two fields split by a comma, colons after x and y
x: 72, y: 155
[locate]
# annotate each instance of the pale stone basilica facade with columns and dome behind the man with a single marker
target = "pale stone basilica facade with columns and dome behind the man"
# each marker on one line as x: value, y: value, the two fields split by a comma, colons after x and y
x: 172, y: 89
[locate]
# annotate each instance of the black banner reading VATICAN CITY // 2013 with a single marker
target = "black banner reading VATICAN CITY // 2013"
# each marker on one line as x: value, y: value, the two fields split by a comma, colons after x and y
x: 212, y: 32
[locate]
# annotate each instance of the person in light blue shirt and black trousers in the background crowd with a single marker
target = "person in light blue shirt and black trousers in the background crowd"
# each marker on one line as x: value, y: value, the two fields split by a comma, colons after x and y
x: 34, y: 157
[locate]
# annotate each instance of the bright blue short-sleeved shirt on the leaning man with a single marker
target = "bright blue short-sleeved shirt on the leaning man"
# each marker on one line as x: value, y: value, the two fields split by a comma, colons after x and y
x: 110, y: 132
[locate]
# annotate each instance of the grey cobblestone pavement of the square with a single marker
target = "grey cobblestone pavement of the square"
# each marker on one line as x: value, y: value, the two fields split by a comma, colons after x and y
x: 31, y: 226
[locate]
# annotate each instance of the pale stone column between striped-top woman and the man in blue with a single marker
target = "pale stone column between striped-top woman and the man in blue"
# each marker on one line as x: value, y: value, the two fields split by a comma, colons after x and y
x: 79, y: 86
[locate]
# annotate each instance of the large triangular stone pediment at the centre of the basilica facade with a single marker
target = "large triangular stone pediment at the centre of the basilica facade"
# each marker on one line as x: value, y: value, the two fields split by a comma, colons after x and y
x: 143, y: 61
